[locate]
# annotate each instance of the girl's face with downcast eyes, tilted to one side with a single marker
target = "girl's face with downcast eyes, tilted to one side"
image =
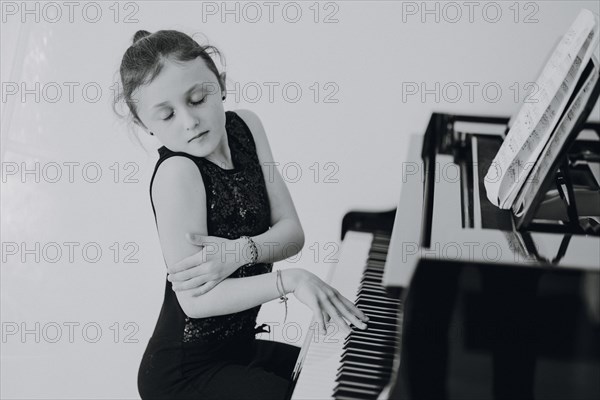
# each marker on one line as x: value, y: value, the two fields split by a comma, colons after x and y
x: 184, y: 101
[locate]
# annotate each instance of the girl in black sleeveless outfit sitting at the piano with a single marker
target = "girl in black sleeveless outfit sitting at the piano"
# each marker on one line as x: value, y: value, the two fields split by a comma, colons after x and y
x: 209, y: 179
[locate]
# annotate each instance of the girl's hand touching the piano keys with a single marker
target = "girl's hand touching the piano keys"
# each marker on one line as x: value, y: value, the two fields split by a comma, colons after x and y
x: 327, y: 303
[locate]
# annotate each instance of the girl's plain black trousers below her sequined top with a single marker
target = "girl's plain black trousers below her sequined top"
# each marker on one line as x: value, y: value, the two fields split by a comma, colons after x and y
x: 249, y: 369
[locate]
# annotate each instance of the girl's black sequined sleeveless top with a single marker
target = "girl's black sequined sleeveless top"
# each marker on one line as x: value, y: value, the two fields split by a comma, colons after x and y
x: 237, y: 204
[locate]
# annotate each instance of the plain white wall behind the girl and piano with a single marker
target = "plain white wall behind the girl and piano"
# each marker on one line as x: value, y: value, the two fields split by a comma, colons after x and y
x: 365, y: 54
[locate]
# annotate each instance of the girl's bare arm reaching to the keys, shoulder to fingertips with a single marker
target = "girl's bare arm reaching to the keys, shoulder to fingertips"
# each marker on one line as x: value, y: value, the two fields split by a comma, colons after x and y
x: 180, y: 205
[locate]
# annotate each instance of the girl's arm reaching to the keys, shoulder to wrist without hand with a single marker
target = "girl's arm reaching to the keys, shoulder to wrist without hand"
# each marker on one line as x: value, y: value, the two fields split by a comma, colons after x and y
x: 180, y: 205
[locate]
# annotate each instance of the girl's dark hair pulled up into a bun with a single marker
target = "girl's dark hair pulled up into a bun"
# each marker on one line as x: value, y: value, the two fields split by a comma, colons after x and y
x: 145, y: 58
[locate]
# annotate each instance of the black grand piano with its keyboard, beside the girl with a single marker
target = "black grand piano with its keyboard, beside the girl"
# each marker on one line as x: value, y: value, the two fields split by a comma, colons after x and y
x: 465, y: 300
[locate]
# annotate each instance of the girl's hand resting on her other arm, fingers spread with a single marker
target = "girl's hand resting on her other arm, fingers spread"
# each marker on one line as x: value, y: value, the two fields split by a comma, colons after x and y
x: 204, y: 270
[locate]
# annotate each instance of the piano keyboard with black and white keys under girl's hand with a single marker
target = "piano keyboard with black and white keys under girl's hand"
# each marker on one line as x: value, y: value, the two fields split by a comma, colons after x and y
x: 358, y: 365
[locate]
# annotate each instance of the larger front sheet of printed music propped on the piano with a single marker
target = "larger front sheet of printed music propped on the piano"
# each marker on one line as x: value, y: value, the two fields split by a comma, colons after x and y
x: 534, y: 120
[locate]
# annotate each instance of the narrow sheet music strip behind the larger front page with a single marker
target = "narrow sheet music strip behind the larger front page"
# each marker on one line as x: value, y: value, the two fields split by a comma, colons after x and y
x: 542, y: 168
